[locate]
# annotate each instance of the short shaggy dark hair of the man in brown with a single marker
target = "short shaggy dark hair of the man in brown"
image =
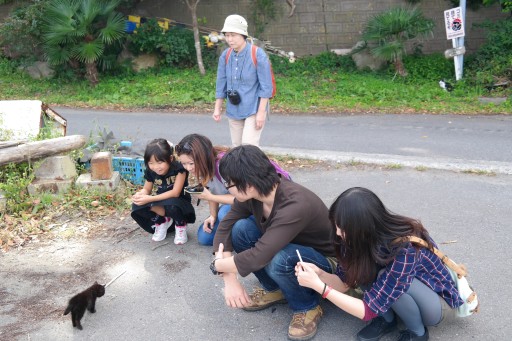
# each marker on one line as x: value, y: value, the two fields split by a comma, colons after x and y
x: 247, y: 165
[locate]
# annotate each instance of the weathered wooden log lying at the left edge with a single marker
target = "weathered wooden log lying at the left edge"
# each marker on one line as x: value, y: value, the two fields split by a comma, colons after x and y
x: 41, y: 149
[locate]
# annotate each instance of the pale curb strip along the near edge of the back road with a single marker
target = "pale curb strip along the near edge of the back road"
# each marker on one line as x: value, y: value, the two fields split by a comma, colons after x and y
x: 457, y: 165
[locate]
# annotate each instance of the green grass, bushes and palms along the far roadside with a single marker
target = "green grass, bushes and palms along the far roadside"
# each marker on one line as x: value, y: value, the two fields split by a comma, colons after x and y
x: 324, y: 83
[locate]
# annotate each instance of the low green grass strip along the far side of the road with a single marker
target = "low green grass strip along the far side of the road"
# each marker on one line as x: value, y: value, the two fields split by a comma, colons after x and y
x: 322, y: 91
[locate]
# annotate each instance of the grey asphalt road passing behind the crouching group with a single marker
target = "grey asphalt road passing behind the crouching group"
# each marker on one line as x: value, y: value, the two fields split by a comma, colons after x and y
x: 435, y: 141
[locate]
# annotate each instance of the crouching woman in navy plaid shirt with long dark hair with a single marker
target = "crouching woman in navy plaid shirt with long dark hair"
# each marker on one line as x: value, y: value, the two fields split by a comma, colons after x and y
x: 398, y: 278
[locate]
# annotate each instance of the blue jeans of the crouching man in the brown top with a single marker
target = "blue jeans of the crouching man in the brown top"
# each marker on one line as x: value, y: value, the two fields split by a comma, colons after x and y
x: 280, y: 272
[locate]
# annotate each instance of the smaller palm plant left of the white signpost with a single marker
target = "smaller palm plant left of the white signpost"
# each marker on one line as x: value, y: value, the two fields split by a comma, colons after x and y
x: 388, y: 32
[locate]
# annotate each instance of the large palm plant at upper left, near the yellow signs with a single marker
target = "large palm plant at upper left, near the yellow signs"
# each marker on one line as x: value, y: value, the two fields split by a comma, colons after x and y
x: 77, y: 32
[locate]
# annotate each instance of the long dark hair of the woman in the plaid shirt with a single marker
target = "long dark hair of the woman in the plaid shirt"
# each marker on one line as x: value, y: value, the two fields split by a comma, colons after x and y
x: 368, y: 231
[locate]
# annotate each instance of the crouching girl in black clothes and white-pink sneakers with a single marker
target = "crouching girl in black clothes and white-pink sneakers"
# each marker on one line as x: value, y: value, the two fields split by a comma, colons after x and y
x: 154, y: 213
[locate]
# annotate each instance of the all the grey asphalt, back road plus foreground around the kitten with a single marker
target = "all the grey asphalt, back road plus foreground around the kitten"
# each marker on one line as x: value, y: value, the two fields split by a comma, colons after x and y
x: 168, y: 293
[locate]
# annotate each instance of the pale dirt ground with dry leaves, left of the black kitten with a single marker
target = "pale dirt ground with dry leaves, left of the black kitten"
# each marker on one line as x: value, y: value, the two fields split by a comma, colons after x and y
x: 49, y: 268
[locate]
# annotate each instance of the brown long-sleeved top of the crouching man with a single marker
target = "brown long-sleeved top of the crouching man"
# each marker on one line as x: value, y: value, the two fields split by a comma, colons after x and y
x: 298, y: 216
